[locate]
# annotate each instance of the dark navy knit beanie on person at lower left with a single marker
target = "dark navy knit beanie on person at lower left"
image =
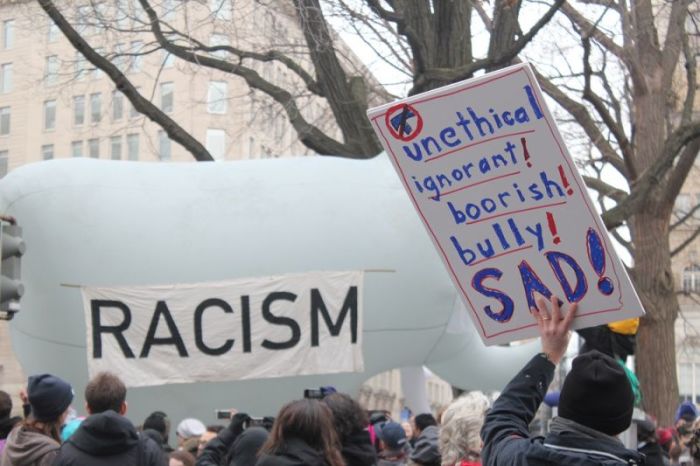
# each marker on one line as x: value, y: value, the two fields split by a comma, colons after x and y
x: 49, y: 396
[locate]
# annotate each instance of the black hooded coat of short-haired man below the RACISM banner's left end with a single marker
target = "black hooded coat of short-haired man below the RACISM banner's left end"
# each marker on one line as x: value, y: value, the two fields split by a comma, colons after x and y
x: 108, y: 439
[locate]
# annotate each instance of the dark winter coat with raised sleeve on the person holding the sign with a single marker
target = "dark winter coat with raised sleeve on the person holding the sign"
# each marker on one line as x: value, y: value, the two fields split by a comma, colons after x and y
x: 506, y: 437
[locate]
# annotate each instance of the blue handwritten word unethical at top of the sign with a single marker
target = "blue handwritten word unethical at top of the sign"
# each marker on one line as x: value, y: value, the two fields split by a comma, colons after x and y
x: 471, y: 126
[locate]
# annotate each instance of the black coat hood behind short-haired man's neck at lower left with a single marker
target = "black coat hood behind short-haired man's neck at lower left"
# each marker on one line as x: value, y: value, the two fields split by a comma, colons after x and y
x: 105, y: 434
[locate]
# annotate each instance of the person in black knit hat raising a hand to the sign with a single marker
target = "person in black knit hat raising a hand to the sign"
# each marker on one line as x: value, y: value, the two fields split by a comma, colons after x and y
x: 595, y: 405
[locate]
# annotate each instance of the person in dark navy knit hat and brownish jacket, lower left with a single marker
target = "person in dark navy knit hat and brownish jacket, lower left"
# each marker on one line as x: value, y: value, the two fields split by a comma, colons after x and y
x: 36, y: 440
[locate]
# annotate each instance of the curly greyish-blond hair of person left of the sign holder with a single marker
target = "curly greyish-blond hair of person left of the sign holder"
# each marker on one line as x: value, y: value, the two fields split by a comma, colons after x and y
x: 460, y: 437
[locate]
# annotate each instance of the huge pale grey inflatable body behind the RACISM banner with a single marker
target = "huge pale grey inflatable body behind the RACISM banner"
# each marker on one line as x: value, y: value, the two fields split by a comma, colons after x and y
x: 91, y: 222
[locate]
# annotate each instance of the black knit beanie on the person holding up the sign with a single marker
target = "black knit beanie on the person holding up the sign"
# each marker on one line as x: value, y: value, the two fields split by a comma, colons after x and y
x: 597, y: 394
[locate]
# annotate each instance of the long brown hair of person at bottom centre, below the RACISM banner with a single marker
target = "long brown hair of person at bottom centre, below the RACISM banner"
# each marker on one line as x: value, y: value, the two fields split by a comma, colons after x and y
x: 308, y: 420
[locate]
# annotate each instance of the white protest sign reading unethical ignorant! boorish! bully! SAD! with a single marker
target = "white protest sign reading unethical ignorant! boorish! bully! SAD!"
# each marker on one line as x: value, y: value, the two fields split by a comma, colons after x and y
x: 492, y: 180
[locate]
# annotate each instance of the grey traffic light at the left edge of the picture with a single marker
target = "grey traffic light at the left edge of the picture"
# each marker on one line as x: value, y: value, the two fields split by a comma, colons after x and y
x: 12, y: 248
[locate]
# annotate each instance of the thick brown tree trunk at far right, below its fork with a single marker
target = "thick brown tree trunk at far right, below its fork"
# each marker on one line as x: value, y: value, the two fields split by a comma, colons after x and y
x: 655, y: 357
